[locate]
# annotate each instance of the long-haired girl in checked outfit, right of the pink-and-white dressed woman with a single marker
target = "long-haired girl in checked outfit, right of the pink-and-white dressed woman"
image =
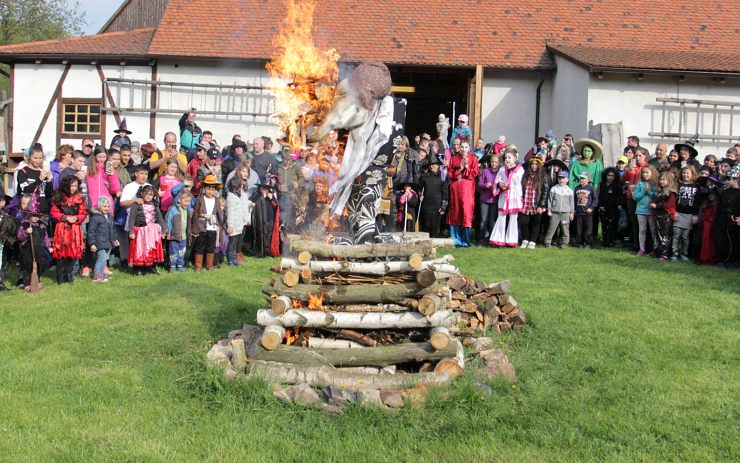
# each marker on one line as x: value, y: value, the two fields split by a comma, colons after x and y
x: 534, y: 203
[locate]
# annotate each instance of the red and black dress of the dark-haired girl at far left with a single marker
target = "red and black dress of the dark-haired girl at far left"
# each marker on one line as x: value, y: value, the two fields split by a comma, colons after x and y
x: 68, y: 242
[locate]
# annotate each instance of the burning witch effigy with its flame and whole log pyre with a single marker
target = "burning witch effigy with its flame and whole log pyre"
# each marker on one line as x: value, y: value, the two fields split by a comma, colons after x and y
x: 358, y: 314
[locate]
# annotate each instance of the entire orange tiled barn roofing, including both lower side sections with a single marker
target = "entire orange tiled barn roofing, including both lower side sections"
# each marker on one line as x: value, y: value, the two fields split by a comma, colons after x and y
x: 493, y: 33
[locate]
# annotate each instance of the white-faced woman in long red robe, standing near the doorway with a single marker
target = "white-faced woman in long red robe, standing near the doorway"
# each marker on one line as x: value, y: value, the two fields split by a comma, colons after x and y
x: 462, y: 172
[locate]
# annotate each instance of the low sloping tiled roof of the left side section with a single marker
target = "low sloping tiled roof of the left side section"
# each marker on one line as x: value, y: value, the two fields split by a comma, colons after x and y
x: 123, y: 44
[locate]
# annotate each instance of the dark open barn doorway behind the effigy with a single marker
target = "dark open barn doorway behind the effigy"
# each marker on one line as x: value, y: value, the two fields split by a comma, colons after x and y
x: 434, y: 92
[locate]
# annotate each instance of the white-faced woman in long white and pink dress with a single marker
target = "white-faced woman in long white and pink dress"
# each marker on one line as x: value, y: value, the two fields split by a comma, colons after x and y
x: 508, y: 188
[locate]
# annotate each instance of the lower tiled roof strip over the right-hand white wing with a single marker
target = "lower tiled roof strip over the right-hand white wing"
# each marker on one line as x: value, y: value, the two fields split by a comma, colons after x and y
x: 610, y: 59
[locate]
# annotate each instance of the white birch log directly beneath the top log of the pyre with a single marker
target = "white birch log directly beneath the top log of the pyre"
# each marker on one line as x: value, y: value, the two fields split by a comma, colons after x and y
x: 441, y: 265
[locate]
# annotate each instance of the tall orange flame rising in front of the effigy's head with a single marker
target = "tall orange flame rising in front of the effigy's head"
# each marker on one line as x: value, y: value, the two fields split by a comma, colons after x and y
x: 311, y: 74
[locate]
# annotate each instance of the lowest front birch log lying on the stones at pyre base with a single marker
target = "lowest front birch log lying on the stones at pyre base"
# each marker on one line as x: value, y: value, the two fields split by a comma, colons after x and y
x: 325, y: 376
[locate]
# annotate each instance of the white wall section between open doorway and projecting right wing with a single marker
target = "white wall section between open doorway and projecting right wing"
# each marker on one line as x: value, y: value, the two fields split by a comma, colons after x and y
x: 509, y: 106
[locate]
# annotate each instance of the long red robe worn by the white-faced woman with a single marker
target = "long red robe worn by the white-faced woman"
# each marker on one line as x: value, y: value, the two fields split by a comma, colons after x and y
x: 462, y: 190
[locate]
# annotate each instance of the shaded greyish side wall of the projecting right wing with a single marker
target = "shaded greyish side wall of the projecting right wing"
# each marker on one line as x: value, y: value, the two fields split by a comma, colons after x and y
x: 570, y: 99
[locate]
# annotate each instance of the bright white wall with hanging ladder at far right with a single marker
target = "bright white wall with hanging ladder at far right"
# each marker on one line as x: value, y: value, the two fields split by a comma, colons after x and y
x: 623, y: 98
